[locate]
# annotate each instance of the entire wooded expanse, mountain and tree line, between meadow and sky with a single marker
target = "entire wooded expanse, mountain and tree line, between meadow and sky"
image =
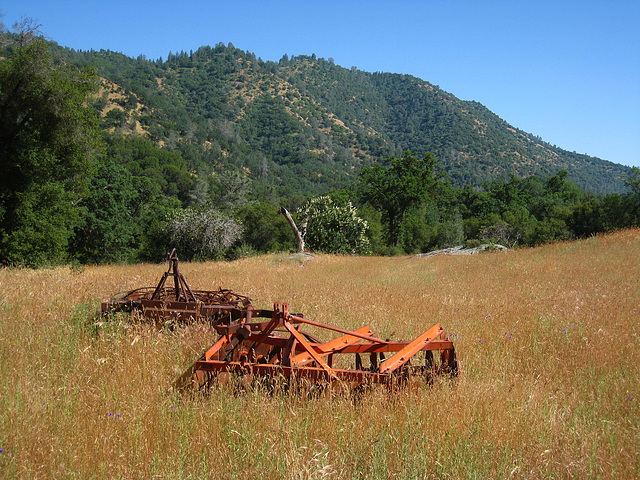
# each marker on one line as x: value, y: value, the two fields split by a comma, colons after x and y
x: 106, y: 158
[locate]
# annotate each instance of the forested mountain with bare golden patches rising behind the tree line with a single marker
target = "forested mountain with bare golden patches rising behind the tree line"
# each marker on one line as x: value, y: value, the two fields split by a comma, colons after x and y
x: 305, y: 125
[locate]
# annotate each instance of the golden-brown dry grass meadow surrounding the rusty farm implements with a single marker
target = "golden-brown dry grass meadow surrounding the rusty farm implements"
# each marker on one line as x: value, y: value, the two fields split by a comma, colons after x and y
x: 549, y: 340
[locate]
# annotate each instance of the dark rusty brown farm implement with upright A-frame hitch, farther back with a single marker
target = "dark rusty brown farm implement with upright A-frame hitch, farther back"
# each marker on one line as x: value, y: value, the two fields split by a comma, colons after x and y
x: 178, y: 303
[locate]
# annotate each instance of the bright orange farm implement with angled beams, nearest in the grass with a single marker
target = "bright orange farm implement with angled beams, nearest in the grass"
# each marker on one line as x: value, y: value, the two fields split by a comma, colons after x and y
x: 279, y: 348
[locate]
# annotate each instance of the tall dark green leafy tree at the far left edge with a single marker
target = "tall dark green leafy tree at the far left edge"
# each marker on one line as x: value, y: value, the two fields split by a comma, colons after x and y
x: 47, y: 140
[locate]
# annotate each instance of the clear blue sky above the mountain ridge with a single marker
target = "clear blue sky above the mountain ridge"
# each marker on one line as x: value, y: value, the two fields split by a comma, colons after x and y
x: 566, y: 70
